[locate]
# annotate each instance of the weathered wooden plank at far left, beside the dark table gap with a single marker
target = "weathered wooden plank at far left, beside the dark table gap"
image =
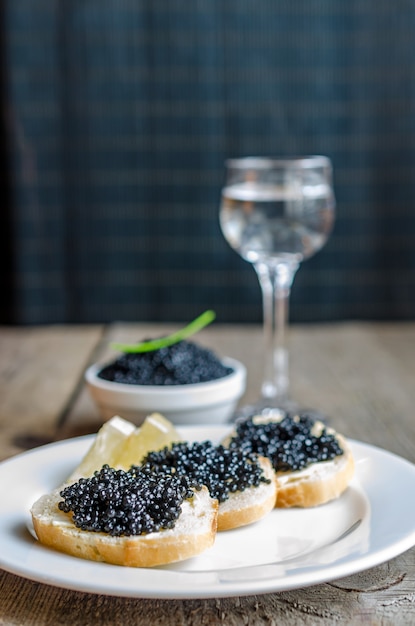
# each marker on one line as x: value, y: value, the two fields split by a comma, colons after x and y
x: 40, y: 369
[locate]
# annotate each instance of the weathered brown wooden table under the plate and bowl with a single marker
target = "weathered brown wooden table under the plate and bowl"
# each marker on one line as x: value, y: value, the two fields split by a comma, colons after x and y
x: 361, y: 375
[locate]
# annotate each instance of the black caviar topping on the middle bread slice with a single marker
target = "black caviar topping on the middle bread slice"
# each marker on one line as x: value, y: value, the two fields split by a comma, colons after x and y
x: 223, y: 471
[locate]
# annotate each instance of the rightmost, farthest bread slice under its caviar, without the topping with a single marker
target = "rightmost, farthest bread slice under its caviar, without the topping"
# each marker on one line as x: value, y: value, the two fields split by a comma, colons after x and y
x: 317, y: 483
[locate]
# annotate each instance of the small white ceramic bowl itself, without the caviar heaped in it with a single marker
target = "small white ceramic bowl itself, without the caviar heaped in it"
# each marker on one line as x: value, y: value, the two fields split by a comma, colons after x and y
x: 202, y: 403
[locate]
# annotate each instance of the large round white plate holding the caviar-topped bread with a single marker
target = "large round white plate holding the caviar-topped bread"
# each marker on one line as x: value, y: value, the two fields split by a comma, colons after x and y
x: 369, y: 524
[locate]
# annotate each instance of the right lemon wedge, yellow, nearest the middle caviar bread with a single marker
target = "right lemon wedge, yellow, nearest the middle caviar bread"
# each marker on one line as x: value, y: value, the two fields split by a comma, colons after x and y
x: 155, y: 433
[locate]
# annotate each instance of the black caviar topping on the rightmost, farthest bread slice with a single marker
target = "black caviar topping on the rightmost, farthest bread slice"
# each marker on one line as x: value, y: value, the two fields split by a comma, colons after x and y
x: 289, y: 444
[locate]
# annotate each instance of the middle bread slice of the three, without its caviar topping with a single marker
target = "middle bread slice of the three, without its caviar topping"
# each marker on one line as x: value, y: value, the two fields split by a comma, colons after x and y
x: 250, y: 505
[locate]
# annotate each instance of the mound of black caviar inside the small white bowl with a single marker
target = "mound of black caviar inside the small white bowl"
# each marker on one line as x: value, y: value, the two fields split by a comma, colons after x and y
x: 180, y: 364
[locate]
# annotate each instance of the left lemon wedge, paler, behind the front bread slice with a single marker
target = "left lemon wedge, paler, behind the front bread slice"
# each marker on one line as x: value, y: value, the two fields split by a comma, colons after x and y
x: 106, y: 447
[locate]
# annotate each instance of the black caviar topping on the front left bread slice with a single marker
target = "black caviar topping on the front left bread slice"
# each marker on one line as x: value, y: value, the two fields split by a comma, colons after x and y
x: 119, y: 502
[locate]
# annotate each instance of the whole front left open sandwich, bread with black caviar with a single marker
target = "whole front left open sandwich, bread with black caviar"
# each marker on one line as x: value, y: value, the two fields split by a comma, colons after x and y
x: 127, y: 518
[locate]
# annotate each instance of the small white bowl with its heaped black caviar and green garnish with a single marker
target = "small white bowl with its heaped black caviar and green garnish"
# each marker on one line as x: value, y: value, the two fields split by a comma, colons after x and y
x: 186, y: 382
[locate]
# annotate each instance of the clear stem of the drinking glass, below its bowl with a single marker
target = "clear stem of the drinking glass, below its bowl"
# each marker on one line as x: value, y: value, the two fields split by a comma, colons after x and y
x: 276, y: 279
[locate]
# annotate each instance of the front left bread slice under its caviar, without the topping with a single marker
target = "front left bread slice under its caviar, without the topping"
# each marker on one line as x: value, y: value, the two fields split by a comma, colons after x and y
x: 194, y: 532
